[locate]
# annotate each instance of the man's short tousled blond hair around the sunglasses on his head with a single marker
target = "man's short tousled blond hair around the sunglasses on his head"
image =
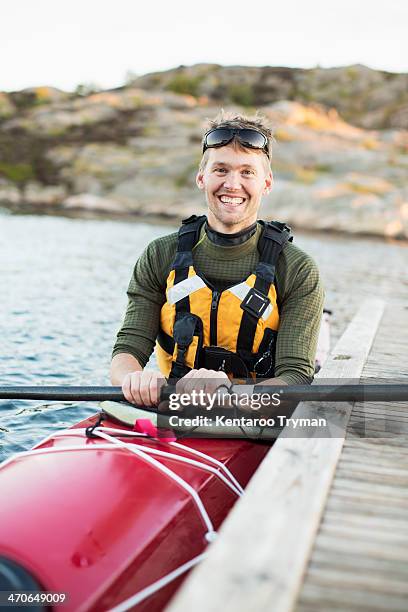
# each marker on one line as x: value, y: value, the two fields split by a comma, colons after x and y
x: 227, y: 119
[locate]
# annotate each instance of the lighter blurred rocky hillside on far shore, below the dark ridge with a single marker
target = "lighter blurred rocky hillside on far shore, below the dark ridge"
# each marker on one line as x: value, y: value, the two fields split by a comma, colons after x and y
x: 134, y: 152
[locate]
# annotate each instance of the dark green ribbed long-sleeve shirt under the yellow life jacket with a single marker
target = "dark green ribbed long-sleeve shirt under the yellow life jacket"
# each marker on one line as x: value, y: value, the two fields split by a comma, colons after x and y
x: 299, y: 289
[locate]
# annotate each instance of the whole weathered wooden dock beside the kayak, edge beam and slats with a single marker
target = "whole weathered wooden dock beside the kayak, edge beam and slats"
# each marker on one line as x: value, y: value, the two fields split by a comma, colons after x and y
x: 323, y: 524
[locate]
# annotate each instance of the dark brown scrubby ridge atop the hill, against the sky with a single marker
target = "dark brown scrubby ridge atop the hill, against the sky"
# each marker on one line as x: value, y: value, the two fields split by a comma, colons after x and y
x: 362, y: 96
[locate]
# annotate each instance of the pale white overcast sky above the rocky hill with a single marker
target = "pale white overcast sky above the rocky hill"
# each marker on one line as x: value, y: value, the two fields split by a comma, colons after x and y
x: 62, y: 44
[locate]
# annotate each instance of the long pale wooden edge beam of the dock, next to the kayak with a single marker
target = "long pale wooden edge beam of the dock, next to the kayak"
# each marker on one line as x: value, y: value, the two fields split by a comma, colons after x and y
x: 259, y: 559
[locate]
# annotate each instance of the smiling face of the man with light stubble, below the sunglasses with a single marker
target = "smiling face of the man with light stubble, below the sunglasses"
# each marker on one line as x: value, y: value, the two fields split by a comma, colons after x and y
x: 234, y: 181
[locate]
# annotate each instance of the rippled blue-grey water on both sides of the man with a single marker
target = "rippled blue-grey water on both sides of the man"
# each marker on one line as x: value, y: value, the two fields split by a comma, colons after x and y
x: 63, y: 295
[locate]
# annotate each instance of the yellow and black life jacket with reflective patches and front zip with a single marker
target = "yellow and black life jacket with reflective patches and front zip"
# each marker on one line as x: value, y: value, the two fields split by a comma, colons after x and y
x: 233, y: 330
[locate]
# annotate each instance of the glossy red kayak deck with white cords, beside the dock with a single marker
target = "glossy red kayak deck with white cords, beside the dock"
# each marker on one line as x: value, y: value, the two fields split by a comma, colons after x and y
x: 115, y: 521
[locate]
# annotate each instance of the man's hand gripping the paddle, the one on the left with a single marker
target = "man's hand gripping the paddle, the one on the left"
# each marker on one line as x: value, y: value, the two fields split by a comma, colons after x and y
x: 143, y: 388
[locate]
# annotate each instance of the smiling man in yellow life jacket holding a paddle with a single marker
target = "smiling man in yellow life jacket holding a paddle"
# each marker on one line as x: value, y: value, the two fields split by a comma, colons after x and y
x: 226, y: 295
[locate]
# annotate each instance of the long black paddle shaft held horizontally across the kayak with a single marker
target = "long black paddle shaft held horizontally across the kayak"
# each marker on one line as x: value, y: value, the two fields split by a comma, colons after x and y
x: 317, y: 392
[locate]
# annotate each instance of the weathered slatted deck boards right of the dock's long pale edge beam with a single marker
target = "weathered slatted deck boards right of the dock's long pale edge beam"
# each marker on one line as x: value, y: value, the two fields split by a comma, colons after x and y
x: 360, y: 556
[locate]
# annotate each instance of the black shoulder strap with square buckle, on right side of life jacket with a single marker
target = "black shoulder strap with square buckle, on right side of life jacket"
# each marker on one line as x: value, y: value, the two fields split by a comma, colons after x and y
x: 272, y: 241
